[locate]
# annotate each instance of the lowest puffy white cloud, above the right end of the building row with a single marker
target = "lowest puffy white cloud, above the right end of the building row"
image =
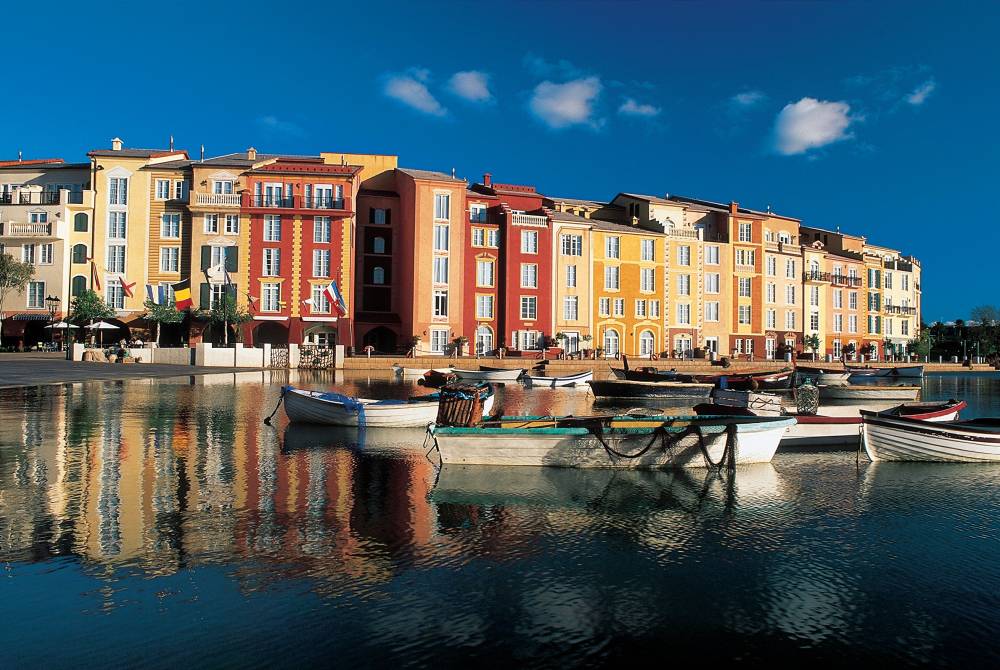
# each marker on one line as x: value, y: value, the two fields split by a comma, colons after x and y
x: 810, y: 124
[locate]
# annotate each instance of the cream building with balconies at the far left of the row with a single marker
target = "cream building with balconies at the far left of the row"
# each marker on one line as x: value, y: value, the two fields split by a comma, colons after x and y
x: 45, y: 211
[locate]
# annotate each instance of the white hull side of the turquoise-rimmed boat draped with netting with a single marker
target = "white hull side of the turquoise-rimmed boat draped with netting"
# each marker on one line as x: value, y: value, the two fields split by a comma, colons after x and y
x: 755, y: 442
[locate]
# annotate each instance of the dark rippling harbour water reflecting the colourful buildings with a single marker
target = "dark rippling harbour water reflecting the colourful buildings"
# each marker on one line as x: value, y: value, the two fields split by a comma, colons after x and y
x: 162, y: 523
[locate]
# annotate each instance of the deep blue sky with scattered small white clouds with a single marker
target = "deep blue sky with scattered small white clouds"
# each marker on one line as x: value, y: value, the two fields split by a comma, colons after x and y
x: 879, y: 118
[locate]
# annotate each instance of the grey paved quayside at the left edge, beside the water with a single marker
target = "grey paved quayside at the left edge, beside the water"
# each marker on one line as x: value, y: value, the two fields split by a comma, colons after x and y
x: 33, y: 369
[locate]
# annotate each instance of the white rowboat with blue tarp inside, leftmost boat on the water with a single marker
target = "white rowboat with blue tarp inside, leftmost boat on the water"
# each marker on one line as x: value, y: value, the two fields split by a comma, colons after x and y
x: 335, y: 409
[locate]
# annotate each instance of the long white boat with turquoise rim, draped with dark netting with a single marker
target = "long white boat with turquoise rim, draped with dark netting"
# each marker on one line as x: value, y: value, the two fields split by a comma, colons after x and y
x: 624, y: 441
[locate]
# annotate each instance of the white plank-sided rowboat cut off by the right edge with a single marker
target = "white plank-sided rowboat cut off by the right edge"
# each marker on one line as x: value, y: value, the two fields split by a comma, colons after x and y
x: 902, y: 438
